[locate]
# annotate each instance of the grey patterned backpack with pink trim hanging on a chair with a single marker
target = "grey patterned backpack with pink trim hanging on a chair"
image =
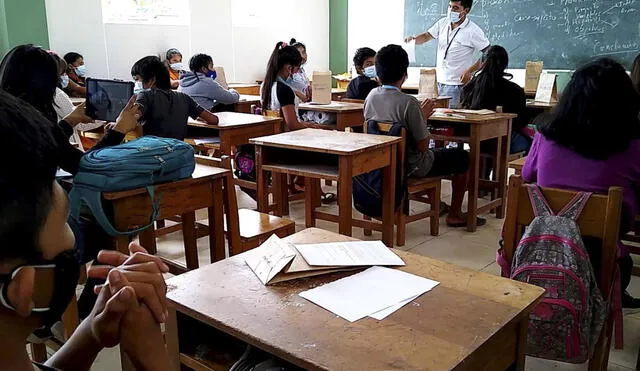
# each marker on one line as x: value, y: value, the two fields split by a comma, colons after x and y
x: 566, y: 324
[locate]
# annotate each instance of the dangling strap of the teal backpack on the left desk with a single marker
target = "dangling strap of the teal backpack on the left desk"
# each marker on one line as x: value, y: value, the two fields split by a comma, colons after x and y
x: 93, y: 199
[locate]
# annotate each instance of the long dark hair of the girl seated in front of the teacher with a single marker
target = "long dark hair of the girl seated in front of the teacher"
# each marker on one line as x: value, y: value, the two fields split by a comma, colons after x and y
x: 481, y: 89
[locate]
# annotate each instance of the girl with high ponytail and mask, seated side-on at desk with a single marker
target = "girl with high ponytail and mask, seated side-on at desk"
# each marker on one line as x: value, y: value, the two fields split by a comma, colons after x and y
x: 277, y: 95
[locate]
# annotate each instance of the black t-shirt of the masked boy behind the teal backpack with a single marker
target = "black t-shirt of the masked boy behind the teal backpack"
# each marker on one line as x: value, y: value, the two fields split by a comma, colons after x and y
x: 165, y: 113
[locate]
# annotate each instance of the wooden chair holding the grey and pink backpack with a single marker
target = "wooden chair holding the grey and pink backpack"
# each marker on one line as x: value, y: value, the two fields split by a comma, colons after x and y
x: 600, y: 218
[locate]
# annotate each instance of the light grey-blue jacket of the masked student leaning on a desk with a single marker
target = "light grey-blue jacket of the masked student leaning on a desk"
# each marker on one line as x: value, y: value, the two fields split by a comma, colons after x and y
x: 205, y: 91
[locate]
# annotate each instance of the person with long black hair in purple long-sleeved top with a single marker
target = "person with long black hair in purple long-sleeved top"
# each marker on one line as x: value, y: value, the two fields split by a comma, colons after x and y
x: 587, y: 146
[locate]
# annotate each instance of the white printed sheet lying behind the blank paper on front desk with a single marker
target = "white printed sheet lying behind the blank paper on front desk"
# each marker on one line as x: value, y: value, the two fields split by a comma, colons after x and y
x: 349, y: 254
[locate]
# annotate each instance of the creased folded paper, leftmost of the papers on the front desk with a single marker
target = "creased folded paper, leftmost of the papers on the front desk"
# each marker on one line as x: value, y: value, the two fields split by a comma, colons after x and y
x: 267, y: 260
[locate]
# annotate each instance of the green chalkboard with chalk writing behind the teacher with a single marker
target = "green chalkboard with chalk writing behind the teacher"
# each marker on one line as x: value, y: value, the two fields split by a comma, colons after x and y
x: 562, y: 33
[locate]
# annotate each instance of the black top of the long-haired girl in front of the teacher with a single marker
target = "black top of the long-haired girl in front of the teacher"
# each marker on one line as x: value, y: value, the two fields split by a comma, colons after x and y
x: 507, y: 94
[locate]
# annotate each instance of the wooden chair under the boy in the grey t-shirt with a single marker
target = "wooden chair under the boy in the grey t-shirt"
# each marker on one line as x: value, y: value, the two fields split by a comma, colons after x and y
x: 425, y: 190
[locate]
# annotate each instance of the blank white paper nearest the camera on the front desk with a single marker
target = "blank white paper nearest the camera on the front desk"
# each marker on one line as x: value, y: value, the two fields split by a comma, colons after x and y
x: 368, y: 292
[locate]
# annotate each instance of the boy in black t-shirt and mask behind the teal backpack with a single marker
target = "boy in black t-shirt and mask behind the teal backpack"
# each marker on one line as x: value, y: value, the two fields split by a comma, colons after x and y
x: 165, y: 113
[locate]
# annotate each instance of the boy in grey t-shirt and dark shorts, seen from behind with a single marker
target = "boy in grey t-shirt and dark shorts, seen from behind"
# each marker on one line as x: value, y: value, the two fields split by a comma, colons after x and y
x: 389, y: 104
